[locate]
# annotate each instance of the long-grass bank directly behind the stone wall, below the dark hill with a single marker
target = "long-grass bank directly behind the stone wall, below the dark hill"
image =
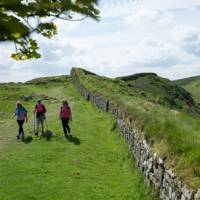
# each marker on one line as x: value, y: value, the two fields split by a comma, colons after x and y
x: 173, y: 133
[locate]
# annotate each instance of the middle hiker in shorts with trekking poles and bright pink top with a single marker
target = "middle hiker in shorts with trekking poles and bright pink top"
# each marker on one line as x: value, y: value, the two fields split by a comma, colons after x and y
x: 40, y: 111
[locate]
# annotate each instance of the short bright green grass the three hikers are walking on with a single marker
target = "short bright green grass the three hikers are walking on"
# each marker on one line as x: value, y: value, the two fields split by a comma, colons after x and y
x: 94, y: 165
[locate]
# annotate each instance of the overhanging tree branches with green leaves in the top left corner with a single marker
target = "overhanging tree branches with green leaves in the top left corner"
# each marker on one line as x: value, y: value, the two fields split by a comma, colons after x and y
x: 20, y: 18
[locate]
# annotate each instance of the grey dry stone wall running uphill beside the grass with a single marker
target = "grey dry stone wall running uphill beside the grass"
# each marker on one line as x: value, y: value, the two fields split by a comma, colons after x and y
x: 165, y: 181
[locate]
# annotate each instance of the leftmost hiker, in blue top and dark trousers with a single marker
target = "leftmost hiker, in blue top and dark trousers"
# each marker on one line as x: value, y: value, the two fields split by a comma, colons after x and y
x: 21, y: 114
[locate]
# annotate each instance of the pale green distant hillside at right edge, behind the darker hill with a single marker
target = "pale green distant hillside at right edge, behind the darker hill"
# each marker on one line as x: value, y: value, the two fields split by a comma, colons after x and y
x: 192, y: 85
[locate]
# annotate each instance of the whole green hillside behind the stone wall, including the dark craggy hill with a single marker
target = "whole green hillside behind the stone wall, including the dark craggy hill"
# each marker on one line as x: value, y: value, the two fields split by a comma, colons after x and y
x: 170, y: 127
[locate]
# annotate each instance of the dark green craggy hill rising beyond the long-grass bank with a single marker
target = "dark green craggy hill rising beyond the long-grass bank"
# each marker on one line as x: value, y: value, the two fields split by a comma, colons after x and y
x: 162, y: 91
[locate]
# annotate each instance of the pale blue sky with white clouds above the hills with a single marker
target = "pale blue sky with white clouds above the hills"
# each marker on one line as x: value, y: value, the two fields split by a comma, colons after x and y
x: 132, y: 36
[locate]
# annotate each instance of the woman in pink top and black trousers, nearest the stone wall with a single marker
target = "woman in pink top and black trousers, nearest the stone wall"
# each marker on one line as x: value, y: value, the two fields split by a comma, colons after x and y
x: 65, y: 117
